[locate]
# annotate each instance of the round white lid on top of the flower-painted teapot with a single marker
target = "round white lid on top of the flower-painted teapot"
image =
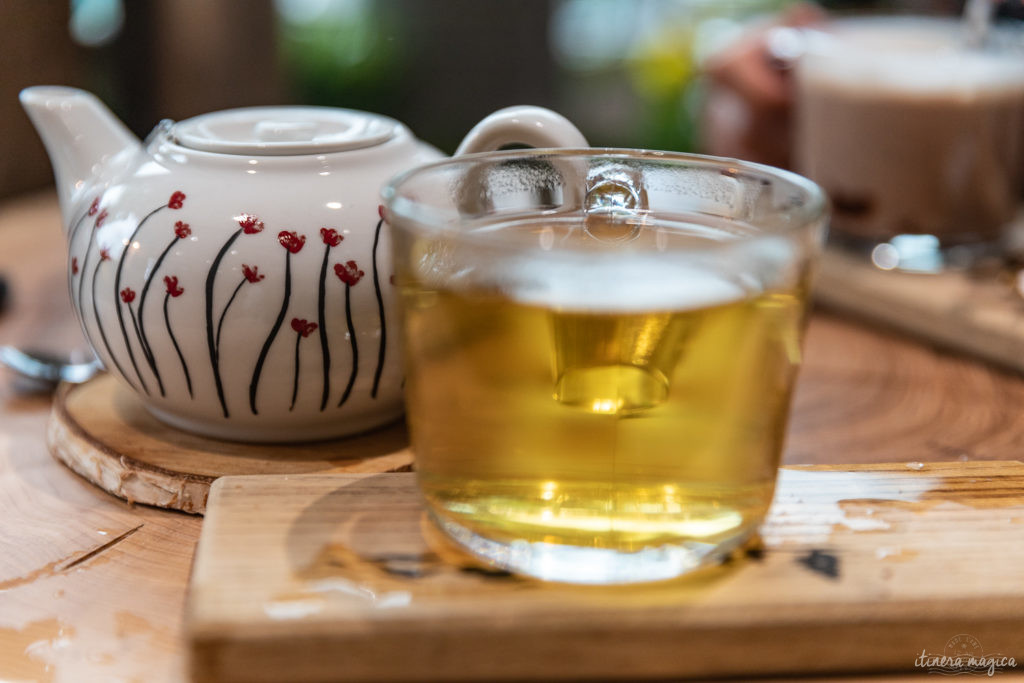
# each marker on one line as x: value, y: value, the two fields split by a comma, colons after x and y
x: 283, y: 131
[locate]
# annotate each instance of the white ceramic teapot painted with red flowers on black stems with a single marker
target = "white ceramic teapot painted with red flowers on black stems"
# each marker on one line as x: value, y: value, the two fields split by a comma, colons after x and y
x: 234, y: 270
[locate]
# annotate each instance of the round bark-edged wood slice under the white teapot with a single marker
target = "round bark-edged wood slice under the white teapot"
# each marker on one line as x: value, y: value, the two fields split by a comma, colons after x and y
x: 104, y: 434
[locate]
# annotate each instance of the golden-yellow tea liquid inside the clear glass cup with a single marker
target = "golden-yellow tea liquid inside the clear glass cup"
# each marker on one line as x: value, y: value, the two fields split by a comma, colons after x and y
x: 608, y: 423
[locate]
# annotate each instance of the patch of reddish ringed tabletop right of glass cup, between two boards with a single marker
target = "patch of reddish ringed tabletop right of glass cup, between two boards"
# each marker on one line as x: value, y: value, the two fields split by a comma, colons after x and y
x: 868, y: 395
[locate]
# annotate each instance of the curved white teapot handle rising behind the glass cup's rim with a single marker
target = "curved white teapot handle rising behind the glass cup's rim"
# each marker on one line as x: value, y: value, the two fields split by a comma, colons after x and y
x: 535, y: 126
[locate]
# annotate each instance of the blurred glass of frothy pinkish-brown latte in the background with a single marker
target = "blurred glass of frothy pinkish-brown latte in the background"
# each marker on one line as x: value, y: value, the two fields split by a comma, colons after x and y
x: 911, y: 132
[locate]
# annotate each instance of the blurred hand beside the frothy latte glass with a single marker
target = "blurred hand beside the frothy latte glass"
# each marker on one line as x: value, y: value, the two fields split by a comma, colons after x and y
x: 749, y: 106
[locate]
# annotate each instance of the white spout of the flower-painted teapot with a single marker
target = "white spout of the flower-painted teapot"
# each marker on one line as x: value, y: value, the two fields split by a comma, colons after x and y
x: 81, y: 136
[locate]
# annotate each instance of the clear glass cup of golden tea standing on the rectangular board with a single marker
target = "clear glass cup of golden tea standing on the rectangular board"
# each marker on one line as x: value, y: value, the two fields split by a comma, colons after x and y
x: 601, y: 348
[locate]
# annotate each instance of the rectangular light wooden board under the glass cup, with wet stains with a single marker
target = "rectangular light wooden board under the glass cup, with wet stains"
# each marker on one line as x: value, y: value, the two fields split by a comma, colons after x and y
x: 862, y: 569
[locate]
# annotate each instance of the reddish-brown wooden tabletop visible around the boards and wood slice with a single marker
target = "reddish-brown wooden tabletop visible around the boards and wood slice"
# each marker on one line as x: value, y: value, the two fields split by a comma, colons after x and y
x: 93, y: 588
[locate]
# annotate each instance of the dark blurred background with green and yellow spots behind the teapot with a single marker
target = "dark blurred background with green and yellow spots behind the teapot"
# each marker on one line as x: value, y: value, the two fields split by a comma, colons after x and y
x: 629, y: 73
